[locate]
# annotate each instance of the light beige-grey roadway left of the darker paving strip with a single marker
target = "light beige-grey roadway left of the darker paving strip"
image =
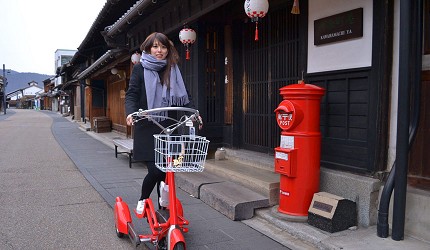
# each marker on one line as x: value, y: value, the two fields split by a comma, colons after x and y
x: 45, y: 201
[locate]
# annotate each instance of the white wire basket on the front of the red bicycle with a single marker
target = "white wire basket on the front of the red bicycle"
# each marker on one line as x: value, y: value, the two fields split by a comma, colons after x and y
x: 180, y: 153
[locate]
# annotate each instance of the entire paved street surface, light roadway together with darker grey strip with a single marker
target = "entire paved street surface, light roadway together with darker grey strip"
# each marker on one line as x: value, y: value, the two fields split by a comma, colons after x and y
x: 57, y: 186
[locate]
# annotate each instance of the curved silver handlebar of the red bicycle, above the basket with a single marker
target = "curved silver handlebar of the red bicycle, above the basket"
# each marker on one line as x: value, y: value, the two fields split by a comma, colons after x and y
x: 161, y: 114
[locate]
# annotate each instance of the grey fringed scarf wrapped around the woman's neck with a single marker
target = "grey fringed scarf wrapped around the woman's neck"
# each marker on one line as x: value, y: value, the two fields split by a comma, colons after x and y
x: 157, y: 94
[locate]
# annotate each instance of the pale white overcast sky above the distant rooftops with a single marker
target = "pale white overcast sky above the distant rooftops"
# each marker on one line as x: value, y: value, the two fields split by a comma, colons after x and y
x: 32, y: 30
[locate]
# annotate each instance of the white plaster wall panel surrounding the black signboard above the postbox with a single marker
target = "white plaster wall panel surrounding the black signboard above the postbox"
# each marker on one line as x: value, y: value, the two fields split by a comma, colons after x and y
x: 353, y: 53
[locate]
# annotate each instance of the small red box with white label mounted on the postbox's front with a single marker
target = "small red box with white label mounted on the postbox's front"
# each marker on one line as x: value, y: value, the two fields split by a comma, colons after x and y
x: 285, y: 161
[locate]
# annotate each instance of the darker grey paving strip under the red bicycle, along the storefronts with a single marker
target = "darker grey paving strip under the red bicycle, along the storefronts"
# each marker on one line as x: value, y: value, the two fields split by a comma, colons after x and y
x: 94, y: 155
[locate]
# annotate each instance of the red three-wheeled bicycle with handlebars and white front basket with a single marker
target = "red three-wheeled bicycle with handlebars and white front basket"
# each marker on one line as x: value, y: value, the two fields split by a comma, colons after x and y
x: 171, y: 227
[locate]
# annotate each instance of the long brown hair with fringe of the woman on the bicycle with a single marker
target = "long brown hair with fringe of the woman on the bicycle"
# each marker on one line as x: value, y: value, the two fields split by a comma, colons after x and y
x: 172, y: 57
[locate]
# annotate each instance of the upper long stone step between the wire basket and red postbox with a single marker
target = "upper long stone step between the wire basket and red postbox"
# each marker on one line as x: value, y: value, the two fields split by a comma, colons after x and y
x: 258, y: 179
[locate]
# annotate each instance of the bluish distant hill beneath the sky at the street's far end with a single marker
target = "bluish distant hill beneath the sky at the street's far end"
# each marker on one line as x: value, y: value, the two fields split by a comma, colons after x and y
x: 17, y: 80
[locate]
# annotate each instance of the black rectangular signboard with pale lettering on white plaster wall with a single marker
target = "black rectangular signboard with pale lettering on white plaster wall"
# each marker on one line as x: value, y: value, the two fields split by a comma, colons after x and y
x: 339, y: 27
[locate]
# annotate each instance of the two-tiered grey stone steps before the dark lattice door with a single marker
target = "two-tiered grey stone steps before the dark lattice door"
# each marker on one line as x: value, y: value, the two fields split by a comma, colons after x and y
x: 235, y: 186
